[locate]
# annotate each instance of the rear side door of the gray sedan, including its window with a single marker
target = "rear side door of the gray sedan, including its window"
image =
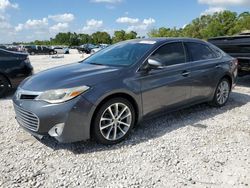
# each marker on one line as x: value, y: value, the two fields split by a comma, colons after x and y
x: 204, y: 67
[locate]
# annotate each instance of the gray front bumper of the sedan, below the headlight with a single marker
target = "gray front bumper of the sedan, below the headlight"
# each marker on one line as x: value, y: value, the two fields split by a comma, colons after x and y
x: 75, y: 115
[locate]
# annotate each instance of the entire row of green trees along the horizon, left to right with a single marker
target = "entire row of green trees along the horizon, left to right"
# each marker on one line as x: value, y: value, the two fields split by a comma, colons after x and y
x: 203, y: 27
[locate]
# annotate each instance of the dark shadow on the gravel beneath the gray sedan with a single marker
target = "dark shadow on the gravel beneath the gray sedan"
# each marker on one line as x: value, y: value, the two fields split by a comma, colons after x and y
x: 156, y: 126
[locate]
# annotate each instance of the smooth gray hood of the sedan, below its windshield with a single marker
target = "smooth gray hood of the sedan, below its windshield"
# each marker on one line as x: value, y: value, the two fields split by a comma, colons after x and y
x: 74, y: 75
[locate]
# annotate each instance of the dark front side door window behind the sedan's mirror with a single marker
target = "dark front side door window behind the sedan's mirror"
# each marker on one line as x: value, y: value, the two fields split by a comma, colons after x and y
x: 170, y: 54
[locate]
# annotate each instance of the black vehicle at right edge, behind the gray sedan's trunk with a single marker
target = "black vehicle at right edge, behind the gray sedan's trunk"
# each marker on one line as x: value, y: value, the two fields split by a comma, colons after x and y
x: 237, y: 46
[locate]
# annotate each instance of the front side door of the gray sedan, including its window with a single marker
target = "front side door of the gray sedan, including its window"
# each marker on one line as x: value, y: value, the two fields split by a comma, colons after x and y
x: 170, y: 86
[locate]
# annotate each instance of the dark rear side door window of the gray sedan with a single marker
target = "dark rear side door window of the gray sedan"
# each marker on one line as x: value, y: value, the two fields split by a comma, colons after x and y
x: 200, y: 51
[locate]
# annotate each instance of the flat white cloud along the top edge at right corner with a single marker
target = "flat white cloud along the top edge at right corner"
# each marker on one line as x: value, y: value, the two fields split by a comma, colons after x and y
x: 225, y: 2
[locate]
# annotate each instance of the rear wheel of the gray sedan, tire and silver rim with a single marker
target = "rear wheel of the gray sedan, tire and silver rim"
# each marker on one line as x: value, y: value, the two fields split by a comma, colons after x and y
x: 222, y: 93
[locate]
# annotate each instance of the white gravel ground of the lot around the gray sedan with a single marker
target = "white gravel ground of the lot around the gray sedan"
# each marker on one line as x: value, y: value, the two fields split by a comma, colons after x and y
x: 197, y: 147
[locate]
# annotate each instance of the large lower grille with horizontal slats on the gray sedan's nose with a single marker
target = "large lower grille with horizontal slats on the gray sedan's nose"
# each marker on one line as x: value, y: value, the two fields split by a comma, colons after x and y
x: 26, y: 119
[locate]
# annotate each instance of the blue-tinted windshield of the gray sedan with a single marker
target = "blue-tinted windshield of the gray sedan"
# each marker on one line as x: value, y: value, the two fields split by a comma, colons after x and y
x: 121, y: 54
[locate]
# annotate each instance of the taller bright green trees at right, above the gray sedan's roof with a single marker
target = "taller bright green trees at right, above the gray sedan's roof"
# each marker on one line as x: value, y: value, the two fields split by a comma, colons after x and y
x: 207, y: 26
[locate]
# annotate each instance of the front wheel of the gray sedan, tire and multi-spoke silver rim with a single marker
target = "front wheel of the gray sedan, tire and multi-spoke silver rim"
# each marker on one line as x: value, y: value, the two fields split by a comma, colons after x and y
x: 109, y: 130
